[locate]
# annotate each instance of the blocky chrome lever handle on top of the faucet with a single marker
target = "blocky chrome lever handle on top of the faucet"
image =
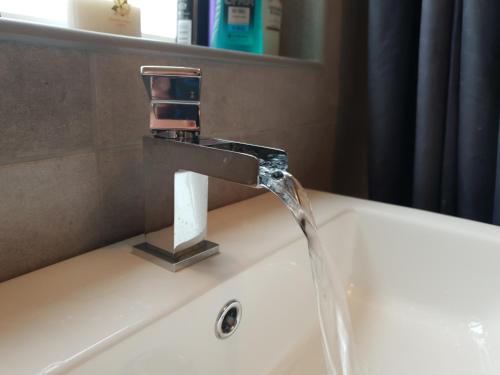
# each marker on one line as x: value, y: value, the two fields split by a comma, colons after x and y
x: 174, y: 94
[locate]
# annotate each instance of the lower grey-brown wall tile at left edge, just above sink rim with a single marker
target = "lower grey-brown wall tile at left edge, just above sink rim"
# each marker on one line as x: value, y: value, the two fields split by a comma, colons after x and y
x: 49, y: 211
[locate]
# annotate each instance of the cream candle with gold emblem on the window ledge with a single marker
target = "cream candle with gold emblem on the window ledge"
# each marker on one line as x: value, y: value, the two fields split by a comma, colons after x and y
x: 115, y: 17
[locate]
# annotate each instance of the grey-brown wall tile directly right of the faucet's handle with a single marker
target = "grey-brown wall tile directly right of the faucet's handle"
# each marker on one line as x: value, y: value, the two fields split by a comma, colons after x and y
x: 240, y: 99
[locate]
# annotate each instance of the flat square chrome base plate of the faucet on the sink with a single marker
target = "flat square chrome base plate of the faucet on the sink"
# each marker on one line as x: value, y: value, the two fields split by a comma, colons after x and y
x: 184, y: 258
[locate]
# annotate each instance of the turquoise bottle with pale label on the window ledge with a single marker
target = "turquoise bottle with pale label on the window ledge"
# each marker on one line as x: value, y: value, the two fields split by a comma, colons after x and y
x: 237, y: 25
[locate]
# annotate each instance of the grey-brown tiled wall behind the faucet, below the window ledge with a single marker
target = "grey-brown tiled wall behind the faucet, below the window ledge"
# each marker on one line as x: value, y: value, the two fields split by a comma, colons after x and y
x: 72, y: 119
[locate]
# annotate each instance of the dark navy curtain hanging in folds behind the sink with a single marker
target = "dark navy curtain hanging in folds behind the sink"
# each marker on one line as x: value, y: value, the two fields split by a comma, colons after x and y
x: 434, y: 105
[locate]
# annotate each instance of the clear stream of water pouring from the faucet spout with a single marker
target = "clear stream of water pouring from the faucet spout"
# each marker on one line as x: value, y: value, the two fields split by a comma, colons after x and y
x: 330, y: 295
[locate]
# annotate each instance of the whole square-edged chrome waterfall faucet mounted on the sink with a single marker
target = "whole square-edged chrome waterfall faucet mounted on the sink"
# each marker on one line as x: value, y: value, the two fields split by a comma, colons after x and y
x: 177, y: 162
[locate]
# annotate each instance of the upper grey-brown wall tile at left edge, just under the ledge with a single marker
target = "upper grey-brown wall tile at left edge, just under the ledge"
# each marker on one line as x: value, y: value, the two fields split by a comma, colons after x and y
x: 45, y: 101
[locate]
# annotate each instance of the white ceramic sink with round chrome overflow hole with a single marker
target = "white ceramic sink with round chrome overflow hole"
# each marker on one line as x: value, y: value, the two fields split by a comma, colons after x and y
x: 423, y: 292
